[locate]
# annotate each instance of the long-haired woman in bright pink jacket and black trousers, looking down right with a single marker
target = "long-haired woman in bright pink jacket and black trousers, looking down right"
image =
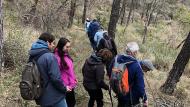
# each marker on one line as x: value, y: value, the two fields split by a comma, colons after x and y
x: 66, y: 68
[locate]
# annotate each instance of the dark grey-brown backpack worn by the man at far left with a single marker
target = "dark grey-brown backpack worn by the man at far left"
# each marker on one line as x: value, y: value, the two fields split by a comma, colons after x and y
x: 31, y: 82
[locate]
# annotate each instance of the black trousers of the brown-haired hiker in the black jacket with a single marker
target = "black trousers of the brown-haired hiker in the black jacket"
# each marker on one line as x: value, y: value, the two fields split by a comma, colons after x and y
x: 95, y: 95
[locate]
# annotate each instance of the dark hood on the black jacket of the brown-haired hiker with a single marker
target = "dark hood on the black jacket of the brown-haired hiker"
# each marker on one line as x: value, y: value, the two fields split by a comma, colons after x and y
x: 94, y: 60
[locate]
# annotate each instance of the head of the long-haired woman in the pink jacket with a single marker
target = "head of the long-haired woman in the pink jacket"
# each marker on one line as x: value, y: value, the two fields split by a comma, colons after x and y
x: 63, y: 45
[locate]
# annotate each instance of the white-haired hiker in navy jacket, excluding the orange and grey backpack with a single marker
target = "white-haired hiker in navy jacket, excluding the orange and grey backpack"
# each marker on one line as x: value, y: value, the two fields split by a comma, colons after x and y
x: 135, y: 77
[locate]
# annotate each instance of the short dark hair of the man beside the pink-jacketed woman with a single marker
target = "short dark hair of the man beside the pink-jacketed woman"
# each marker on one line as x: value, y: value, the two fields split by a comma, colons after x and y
x: 47, y: 37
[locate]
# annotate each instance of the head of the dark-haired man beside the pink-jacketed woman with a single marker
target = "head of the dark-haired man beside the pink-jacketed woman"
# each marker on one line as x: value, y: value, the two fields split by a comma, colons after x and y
x: 49, y: 38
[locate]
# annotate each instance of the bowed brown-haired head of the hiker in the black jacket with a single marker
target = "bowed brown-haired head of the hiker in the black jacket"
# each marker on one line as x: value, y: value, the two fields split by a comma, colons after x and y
x: 105, y: 54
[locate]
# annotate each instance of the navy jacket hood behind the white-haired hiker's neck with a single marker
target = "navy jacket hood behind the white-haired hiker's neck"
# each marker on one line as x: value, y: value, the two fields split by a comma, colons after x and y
x: 126, y: 59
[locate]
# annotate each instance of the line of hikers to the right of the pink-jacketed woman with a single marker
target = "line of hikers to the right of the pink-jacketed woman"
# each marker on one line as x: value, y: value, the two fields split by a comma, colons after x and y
x: 125, y: 72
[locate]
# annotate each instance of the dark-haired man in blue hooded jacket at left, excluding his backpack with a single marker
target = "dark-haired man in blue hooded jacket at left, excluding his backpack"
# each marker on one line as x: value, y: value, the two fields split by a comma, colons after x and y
x: 54, y: 90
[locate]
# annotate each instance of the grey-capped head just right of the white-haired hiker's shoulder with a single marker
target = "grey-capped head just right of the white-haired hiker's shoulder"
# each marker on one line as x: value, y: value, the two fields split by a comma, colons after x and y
x: 146, y: 65
